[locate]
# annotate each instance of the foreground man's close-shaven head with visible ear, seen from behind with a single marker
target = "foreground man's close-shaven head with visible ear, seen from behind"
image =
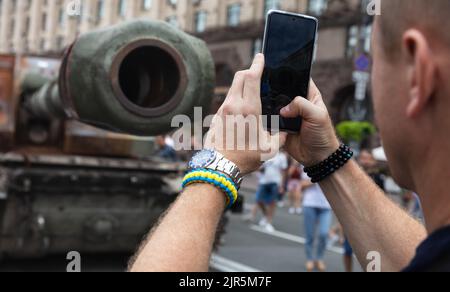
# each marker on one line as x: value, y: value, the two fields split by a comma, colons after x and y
x: 410, y: 88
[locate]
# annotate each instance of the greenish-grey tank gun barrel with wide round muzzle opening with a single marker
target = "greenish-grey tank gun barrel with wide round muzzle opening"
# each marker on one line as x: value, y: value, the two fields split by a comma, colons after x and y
x: 133, y: 78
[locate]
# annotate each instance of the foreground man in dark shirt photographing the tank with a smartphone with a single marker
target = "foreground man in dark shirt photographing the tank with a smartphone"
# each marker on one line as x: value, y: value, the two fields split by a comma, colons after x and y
x: 411, y: 95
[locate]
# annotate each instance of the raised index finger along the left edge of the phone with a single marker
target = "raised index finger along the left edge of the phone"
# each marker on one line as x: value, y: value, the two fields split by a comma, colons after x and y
x: 252, y: 86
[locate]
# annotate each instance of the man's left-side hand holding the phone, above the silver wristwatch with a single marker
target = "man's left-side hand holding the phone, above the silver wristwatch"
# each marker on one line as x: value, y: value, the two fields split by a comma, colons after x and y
x: 243, y: 103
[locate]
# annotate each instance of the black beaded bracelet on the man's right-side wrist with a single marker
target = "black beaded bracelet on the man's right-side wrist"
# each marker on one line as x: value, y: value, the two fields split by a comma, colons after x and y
x: 329, y: 166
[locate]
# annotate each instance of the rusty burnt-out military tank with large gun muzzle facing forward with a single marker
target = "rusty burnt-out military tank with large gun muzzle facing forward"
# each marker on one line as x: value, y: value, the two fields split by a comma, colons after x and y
x: 77, y: 164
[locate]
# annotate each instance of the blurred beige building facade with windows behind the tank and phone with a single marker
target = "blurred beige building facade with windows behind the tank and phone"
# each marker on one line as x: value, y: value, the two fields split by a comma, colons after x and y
x: 233, y: 30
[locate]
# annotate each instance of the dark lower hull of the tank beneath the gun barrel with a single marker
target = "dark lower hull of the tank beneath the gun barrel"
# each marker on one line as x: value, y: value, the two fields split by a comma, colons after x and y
x: 56, y: 204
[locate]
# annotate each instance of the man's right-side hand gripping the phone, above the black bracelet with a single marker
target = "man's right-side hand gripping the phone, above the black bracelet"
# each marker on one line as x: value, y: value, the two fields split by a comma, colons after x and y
x: 317, y: 139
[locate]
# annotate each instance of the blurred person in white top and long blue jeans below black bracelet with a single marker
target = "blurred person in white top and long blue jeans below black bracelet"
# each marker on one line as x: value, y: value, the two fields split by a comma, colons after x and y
x: 318, y: 217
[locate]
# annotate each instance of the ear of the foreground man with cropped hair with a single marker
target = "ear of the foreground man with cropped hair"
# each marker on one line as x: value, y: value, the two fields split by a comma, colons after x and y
x: 421, y: 71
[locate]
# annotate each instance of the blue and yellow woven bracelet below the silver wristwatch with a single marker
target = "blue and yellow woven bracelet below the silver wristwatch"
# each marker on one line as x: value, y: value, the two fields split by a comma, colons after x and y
x: 216, y: 179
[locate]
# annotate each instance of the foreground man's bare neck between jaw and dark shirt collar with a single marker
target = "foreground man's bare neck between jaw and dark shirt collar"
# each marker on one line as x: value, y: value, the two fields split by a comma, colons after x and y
x: 433, y: 187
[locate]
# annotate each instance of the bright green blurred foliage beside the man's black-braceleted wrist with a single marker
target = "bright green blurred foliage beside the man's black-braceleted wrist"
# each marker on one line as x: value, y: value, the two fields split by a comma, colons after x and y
x: 355, y: 131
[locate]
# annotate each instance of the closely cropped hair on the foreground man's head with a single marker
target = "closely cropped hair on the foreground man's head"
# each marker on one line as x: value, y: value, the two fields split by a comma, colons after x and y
x: 432, y: 17
